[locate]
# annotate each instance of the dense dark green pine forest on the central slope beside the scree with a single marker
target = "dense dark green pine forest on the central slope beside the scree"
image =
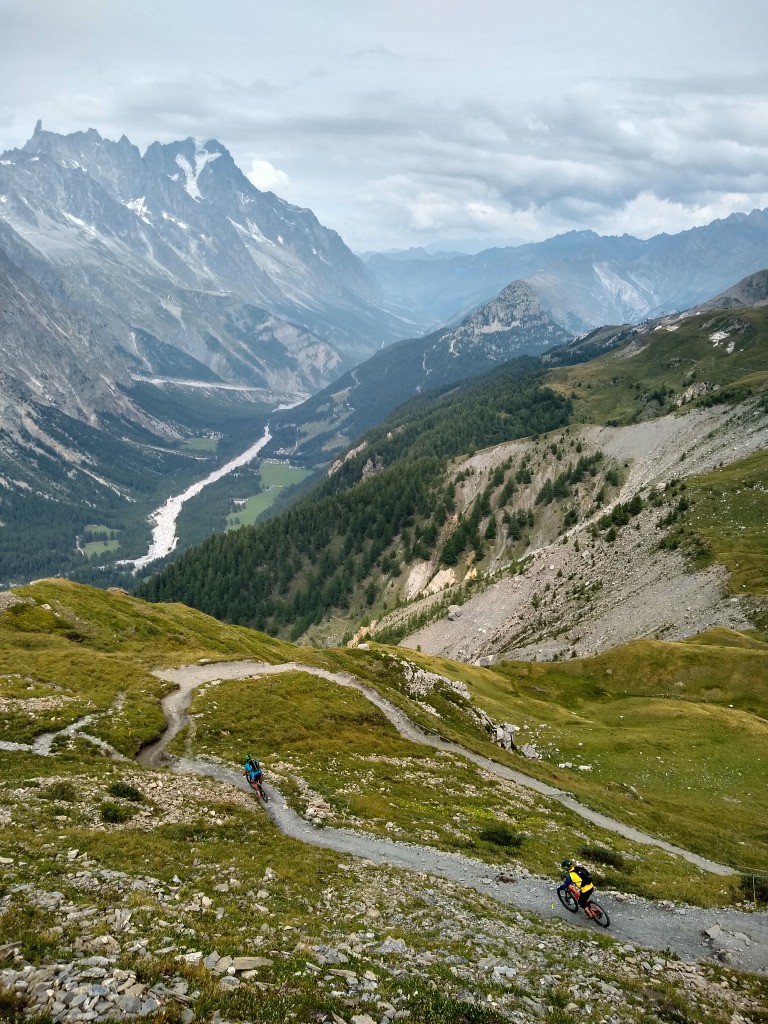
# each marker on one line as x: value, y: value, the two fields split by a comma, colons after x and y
x: 386, y: 505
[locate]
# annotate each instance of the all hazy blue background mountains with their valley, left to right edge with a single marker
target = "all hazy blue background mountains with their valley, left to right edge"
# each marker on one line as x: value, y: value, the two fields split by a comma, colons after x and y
x: 156, y: 310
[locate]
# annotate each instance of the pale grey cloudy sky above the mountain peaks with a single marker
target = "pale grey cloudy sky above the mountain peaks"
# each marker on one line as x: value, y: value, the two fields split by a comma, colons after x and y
x: 408, y: 122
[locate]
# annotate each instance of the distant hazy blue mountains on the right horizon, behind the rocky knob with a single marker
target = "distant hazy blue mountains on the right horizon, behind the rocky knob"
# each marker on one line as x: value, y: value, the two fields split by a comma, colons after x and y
x: 583, y: 280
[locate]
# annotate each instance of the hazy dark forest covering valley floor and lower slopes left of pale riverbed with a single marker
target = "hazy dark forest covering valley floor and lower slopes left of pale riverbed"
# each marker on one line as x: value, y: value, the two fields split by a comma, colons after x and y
x: 120, y: 475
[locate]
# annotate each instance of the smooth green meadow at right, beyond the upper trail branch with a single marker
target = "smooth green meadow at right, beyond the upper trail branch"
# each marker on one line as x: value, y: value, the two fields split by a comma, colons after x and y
x: 676, y: 736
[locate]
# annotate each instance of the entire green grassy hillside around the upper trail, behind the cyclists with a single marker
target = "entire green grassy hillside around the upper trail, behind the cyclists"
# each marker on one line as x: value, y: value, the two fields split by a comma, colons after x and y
x: 675, y: 735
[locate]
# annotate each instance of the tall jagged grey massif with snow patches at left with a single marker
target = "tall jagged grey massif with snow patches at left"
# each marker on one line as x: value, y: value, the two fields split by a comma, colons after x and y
x: 184, y: 264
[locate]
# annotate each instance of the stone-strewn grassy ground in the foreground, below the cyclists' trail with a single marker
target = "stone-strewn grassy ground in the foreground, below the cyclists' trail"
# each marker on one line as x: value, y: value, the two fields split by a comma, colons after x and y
x: 387, y: 947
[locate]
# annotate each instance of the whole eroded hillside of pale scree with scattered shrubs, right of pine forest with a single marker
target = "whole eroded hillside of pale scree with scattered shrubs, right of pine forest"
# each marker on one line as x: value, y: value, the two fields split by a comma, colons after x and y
x: 593, y: 585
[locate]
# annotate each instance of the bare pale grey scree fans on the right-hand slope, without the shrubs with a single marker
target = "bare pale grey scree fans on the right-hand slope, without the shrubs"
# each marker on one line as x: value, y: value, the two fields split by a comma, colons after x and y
x: 581, y: 595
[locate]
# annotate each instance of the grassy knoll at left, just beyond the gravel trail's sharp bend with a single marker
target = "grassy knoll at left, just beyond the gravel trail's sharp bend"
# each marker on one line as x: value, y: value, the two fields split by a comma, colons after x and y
x: 90, y: 653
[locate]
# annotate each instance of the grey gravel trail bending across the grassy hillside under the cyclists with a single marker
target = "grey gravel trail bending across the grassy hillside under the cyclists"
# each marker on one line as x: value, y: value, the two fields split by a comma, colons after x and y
x: 742, y: 938
